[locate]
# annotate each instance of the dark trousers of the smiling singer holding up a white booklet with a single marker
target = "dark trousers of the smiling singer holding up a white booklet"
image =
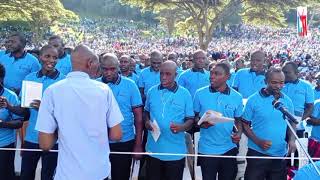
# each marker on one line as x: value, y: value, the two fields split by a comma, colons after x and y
x: 30, y: 161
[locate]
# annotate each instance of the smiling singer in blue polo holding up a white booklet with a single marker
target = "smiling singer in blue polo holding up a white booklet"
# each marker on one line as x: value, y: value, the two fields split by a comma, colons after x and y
x: 48, y: 75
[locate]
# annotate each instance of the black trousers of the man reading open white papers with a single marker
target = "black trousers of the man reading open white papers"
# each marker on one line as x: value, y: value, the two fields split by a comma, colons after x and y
x: 226, y: 168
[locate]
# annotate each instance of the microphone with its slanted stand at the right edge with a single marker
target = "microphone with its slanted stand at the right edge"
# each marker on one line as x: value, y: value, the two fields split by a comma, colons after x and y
x: 276, y: 105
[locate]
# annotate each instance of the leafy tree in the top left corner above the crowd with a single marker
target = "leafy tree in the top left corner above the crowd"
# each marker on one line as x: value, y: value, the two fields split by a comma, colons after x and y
x: 40, y: 14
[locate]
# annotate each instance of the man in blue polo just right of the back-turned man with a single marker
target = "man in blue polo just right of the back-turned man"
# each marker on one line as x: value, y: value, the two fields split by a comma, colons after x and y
x: 129, y: 100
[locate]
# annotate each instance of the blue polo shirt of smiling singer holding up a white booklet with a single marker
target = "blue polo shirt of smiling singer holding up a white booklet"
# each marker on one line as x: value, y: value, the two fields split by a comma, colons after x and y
x: 31, y: 133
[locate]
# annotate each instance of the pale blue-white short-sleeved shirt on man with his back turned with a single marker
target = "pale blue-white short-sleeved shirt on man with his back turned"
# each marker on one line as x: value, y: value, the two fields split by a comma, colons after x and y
x: 82, y: 110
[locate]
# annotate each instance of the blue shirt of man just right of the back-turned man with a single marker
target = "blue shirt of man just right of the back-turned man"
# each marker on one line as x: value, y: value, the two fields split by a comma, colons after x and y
x: 128, y: 97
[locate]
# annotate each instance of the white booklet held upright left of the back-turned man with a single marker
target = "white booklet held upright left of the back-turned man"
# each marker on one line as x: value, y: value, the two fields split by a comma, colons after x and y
x: 30, y: 91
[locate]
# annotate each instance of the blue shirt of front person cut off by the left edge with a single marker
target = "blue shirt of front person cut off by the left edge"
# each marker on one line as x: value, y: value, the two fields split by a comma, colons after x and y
x: 8, y: 136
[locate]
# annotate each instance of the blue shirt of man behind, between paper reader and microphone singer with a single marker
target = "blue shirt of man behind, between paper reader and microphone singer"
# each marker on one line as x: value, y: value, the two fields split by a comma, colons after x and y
x: 247, y: 82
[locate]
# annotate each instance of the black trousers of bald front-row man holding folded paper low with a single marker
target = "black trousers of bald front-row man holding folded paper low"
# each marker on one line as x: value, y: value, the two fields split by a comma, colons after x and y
x: 164, y: 170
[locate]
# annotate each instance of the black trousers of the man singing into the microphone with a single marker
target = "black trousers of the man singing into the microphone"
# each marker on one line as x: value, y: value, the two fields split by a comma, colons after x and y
x: 268, y: 169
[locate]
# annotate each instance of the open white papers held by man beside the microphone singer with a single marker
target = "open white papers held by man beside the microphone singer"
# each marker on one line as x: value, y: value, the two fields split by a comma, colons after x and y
x: 213, y: 117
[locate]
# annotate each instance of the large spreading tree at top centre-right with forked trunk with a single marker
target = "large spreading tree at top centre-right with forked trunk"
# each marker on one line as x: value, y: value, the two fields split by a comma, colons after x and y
x: 205, y: 15
